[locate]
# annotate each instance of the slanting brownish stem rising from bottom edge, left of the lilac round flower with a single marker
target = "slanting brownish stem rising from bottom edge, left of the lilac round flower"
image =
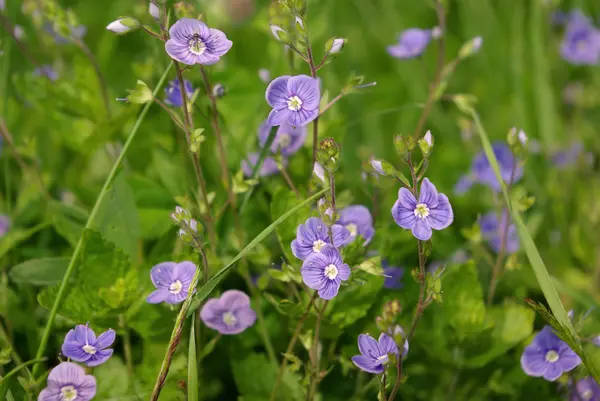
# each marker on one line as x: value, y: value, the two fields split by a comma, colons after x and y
x: 176, y: 334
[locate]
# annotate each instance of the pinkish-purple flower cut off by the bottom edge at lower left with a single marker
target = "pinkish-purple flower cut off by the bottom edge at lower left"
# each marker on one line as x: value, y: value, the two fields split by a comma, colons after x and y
x: 68, y: 382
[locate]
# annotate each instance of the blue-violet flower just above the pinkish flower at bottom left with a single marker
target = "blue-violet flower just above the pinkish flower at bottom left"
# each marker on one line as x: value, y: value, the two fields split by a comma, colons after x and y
x: 81, y: 345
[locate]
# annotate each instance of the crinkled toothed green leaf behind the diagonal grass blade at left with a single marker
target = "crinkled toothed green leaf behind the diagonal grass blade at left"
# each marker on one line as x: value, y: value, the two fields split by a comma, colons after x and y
x: 99, y: 267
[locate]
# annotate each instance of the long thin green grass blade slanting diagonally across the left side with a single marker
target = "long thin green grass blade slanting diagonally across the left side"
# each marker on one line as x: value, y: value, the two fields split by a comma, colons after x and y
x: 62, y: 290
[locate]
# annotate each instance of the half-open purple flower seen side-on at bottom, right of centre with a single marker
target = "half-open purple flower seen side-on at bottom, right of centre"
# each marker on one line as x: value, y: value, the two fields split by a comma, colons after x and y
x: 375, y: 353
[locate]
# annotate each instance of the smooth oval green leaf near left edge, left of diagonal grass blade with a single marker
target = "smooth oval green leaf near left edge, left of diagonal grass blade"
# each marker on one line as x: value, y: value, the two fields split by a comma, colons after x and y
x: 44, y: 271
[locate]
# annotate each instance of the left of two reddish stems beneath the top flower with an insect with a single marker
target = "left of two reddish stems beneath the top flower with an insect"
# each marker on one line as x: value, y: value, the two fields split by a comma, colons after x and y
x: 189, y: 125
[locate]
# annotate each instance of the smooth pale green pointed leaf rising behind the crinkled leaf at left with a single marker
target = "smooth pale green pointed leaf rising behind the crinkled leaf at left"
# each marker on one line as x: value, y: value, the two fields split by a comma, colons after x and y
x: 117, y: 217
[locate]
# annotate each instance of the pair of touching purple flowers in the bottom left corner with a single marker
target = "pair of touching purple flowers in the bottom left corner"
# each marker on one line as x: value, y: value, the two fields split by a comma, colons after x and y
x: 68, y: 381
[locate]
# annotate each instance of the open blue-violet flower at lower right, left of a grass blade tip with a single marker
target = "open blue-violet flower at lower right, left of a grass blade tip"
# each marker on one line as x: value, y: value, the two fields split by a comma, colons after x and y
x: 548, y: 356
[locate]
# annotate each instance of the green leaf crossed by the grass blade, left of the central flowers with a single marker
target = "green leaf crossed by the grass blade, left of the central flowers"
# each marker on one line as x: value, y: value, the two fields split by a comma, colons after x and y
x: 283, y: 200
